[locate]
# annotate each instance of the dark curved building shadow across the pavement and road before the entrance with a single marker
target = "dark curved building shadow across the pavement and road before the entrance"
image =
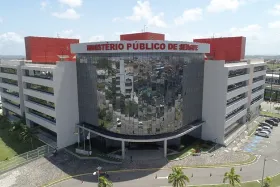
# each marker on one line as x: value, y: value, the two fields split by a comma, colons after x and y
x: 73, y: 166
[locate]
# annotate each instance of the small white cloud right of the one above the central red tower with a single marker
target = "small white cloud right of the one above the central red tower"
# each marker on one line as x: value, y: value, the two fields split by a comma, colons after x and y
x: 189, y: 15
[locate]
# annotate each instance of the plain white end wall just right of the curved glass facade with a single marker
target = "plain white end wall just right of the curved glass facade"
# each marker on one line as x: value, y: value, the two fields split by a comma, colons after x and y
x: 214, y: 100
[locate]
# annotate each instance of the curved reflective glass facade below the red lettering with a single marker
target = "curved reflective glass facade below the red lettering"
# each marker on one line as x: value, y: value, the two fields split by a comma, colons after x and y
x: 140, y: 93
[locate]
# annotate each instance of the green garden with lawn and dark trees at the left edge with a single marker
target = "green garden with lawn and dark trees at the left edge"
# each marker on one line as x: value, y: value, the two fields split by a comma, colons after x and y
x: 15, y: 139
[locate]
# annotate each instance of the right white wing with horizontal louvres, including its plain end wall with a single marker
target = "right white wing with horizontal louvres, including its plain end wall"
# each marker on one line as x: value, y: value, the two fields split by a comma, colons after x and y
x: 235, y: 92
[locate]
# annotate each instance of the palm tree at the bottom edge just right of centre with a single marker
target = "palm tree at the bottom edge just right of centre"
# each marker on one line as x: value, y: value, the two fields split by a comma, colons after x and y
x: 177, y: 177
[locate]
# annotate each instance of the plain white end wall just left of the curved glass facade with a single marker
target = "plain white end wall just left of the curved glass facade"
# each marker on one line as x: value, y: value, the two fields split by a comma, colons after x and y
x: 66, y: 104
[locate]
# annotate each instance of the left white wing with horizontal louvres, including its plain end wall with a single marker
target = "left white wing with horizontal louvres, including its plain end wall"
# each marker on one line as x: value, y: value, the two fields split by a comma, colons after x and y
x: 46, y: 95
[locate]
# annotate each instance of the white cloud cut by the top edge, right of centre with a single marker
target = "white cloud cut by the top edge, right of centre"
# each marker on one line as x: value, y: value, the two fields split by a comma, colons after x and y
x: 223, y: 5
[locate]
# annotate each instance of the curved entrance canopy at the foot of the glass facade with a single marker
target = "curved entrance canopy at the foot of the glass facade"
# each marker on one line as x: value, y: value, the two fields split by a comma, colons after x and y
x: 141, y: 138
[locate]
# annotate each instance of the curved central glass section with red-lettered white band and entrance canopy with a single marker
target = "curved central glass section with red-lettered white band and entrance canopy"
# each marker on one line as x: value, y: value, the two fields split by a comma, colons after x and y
x: 146, y: 87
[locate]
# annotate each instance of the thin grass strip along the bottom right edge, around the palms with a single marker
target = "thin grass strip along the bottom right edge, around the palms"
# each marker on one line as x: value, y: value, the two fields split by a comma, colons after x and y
x: 275, y: 183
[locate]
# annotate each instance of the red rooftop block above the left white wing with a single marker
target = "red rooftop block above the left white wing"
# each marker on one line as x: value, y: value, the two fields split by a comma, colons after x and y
x: 49, y: 50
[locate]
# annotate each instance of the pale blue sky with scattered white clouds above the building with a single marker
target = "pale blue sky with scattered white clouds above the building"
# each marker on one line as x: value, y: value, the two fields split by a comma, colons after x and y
x: 182, y: 20
